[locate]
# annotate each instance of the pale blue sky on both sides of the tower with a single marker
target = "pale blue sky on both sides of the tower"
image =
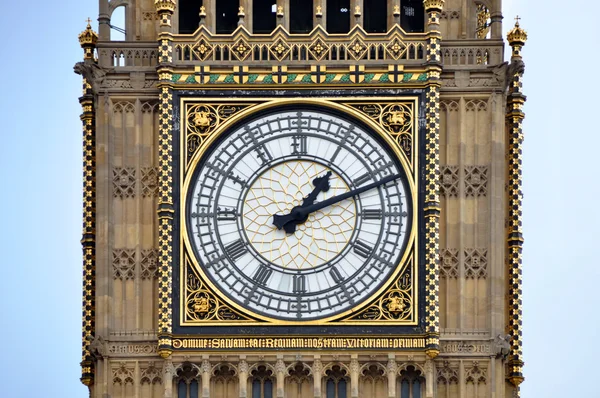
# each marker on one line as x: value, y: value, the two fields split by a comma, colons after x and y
x: 40, y: 175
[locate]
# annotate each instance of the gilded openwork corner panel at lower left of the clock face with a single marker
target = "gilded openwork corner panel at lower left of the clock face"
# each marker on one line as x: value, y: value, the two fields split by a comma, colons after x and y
x: 202, y: 305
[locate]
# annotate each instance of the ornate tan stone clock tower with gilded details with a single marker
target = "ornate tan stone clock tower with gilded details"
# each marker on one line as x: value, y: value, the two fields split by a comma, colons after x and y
x: 316, y: 198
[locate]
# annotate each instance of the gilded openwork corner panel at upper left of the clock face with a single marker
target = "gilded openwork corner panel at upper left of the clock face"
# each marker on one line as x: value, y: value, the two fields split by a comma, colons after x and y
x: 201, y: 120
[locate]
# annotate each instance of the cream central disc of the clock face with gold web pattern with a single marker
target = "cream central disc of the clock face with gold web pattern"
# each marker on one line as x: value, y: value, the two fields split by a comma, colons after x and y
x: 321, y: 235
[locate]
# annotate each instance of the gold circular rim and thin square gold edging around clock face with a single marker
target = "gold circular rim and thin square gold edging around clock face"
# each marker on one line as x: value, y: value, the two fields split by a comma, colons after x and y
x: 339, y: 104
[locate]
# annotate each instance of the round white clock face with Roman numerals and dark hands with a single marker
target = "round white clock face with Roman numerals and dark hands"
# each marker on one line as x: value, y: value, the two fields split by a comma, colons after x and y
x: 321, y: 258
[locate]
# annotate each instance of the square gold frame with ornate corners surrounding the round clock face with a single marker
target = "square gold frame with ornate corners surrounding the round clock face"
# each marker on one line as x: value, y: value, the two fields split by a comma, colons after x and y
x: 383, y: 115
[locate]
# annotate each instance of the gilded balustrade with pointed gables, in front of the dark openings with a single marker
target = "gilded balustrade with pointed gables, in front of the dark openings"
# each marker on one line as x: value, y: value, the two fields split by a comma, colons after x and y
x: 300, y: 50
